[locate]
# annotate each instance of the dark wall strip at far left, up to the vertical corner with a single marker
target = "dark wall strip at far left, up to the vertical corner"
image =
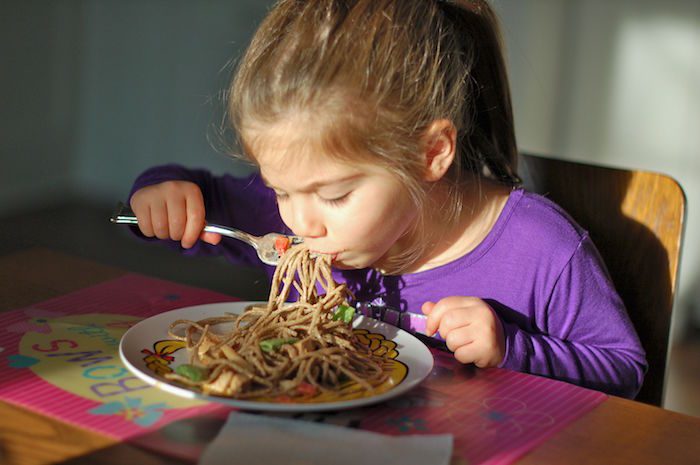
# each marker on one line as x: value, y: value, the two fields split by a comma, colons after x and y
x: 39, y: 73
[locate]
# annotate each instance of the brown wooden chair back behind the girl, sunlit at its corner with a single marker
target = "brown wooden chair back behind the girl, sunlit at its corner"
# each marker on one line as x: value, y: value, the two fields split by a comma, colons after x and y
x: 636, y: 219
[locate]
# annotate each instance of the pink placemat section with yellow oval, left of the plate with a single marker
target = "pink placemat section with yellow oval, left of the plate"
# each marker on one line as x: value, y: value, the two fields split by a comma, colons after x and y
x: 61, y: 357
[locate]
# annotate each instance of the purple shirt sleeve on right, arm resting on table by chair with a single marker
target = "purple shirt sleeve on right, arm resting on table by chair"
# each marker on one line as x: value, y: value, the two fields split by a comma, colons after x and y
x: 587, y: 337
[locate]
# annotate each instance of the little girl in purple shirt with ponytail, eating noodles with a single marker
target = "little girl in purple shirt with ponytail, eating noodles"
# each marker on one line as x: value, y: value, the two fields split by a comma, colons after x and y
x: 383, y: 134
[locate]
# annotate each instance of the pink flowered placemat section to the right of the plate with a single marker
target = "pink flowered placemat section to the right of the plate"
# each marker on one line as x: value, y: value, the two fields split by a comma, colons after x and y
x: 495, y: 415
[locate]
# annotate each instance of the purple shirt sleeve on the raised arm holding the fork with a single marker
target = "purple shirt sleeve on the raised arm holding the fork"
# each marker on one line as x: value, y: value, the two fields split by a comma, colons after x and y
x: 243, y: 203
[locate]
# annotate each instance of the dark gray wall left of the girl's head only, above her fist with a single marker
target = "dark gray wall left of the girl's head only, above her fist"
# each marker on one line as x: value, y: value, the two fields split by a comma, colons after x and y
x: 93, y: 92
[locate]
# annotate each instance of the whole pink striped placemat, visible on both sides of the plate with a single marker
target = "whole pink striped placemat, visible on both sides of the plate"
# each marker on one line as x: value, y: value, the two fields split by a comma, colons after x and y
x: 60, y: 358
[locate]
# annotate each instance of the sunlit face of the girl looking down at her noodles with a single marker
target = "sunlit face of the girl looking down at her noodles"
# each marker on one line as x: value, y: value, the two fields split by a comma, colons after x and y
x: 355, y: 212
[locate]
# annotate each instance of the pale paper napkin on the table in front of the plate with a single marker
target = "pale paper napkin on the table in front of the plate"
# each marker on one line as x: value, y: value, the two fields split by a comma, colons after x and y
x: 248, y: 439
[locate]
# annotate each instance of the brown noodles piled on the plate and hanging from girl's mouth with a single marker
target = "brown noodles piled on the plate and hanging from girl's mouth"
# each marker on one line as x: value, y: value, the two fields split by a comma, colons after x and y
x: 282, y: 349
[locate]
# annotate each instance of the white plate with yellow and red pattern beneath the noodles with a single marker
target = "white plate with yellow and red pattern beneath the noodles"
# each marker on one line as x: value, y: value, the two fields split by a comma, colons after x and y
x: 146, y: 349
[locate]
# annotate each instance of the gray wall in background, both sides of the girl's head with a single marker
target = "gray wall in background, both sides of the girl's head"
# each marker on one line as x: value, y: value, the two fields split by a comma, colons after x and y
x: 93, y: 92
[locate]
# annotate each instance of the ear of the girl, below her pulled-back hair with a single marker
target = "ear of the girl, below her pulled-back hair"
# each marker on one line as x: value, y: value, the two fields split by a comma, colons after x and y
x: 440, y: 146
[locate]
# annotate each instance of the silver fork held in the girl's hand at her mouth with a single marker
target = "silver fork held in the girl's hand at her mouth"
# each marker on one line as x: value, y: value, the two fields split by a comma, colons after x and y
x: 263, y: 245
